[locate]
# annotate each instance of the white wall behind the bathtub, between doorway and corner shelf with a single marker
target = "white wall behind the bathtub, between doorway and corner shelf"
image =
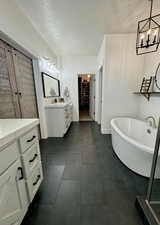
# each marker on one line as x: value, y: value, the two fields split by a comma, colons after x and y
x: 121, y: 69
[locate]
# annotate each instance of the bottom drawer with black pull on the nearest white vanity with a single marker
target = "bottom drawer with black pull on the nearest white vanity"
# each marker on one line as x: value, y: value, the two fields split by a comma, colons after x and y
x: 34, y: 181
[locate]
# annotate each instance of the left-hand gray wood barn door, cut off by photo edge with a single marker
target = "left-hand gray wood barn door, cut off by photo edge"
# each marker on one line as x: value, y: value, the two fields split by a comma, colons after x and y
x: 9, y: 104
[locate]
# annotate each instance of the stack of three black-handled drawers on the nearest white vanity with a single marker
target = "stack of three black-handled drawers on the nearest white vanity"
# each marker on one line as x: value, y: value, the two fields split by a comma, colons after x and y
x: 31, y: 160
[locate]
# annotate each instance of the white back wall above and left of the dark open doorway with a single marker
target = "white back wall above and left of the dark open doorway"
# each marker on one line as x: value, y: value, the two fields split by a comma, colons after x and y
x: 71, y: 67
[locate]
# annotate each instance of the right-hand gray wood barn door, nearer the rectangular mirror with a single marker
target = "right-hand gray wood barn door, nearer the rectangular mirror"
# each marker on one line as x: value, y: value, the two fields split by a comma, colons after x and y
x: 25, y: 83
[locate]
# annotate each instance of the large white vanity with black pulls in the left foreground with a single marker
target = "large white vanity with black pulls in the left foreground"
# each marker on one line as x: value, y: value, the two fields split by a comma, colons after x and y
x: 20, y: 169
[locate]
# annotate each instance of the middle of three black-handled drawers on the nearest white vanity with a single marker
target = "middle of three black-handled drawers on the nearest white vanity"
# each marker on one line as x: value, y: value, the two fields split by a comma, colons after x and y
x: 31, y: 158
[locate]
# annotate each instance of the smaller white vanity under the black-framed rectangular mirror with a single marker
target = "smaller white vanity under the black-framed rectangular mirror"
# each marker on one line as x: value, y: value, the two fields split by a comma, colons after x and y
x: 58, y: 118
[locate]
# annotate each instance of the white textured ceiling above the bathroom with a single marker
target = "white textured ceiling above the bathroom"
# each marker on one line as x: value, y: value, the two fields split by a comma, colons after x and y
x: 77, y: 27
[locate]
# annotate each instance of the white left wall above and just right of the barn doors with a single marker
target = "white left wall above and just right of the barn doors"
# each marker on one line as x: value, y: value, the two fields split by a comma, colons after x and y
x: 17, y: 27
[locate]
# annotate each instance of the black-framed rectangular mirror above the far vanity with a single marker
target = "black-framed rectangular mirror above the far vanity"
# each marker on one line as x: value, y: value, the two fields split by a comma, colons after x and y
x: 51, y: 86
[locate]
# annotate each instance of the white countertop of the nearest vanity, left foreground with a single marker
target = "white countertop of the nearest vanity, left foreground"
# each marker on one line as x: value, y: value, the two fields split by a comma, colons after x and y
x: 10, y: 129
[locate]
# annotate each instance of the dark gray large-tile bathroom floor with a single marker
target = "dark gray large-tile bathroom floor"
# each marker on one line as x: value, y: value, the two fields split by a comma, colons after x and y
x: 84, y: 182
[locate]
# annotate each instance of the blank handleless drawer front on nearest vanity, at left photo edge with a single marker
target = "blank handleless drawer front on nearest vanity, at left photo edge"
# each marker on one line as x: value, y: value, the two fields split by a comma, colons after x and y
x: 8, y: 155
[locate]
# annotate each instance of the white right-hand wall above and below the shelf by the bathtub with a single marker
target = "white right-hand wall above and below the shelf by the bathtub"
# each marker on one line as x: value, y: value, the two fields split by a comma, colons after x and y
x: 151, y: 107
